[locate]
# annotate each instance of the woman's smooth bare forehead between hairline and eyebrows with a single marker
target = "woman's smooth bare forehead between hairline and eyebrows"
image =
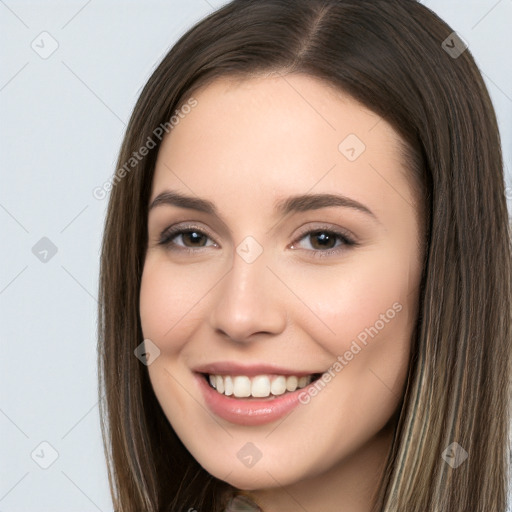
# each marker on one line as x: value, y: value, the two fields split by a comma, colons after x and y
x: 271, y: 136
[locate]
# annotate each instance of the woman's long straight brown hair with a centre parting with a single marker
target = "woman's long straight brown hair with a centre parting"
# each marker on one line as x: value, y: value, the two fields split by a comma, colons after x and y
x: 396, y: 57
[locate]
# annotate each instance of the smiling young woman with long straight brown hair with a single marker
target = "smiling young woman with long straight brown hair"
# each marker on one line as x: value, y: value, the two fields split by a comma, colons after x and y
x: 247, y: 363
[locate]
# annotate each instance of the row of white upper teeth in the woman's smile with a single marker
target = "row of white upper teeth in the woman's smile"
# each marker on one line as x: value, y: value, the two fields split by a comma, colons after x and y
x: 260, y: 386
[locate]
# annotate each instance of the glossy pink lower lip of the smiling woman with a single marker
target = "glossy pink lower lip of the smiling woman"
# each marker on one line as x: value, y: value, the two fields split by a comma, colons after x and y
x: 248, y: 412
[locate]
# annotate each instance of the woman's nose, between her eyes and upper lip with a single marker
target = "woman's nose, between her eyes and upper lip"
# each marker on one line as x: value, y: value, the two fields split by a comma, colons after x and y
x: 248, y: 302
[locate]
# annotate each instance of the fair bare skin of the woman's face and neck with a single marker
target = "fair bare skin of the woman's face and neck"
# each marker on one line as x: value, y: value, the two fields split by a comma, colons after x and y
x: 244, y: 146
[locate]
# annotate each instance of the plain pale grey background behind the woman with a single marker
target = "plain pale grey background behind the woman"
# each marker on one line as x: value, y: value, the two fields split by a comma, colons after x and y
x: 62, y: 122
